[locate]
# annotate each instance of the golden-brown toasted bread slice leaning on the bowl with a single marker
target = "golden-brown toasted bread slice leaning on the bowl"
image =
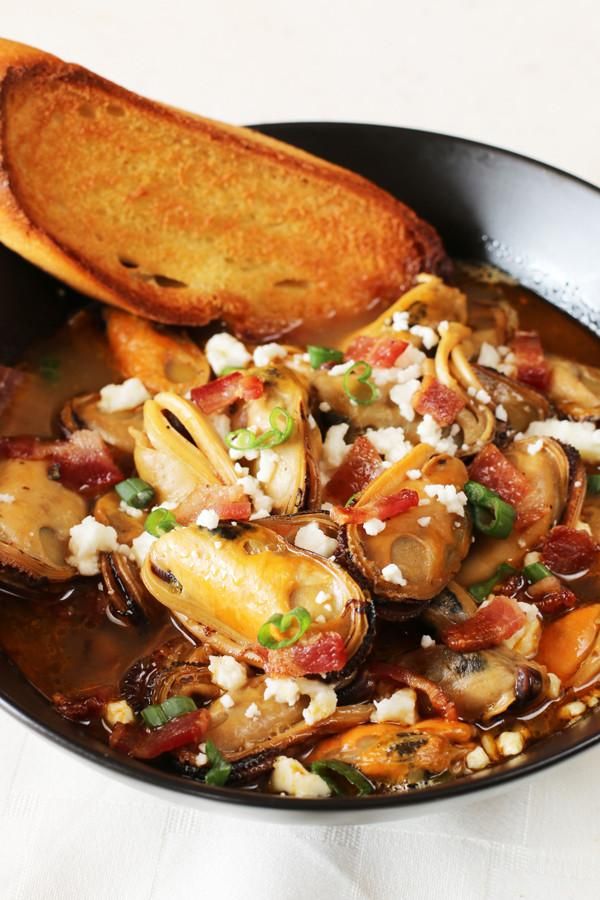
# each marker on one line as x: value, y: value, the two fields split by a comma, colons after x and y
x: 184, y: 220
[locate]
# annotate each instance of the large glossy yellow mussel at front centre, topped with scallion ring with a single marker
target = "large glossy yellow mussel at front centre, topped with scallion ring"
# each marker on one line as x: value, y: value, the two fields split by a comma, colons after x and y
x: 224, y: 584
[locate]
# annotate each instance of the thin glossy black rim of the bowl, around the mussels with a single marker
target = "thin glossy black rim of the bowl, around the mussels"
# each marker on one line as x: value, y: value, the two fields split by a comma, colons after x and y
x: 178, y: 785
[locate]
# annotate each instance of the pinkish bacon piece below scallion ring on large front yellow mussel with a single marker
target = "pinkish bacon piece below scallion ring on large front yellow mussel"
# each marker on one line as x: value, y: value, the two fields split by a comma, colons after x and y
x: 326, y: 653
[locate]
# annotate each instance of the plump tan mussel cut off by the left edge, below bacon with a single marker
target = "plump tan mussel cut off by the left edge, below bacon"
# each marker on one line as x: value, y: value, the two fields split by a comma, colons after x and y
x: 36, y: 515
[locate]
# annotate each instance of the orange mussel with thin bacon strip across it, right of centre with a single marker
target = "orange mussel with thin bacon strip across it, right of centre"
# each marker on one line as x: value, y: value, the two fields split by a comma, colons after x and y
x: 427, y: 543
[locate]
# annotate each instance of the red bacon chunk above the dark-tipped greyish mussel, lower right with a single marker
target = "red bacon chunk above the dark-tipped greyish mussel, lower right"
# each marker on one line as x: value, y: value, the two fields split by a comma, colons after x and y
x: 490, y: 625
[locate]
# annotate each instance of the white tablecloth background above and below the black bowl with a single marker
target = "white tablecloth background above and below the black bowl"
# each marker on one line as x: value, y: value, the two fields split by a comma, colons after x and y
x: 524, y: 74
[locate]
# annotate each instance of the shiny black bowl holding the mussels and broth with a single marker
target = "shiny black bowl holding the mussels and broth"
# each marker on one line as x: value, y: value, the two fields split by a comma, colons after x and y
x: 539, y: 224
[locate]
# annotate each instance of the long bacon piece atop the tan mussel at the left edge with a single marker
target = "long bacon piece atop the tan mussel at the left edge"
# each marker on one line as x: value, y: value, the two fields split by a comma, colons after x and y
x: 83, y: 461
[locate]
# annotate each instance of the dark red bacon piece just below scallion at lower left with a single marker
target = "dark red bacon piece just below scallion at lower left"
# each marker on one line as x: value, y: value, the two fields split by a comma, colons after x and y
x: 144, y: 743
